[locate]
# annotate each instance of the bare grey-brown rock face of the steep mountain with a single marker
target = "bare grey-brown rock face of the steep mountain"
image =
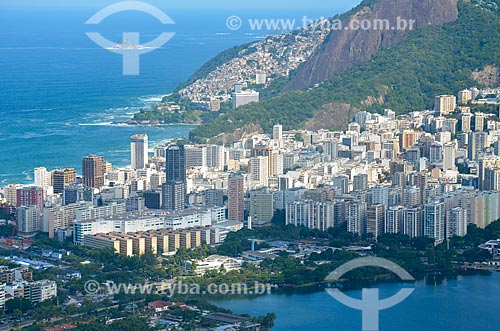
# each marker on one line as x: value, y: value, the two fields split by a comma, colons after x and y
x: 346, y: 48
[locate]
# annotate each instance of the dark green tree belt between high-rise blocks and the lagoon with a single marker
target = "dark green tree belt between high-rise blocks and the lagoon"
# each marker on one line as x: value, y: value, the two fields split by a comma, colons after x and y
x: 417, y: 255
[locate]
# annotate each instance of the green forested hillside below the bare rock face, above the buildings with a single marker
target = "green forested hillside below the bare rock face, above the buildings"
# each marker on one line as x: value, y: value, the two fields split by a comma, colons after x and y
x: 431, y: 61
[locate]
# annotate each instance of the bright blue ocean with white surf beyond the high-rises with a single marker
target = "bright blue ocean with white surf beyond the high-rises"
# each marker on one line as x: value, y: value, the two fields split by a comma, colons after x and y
x: 59, y: 92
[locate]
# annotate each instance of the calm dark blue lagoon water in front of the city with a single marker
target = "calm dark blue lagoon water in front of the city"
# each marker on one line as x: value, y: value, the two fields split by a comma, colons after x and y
x: 466, y: 304
